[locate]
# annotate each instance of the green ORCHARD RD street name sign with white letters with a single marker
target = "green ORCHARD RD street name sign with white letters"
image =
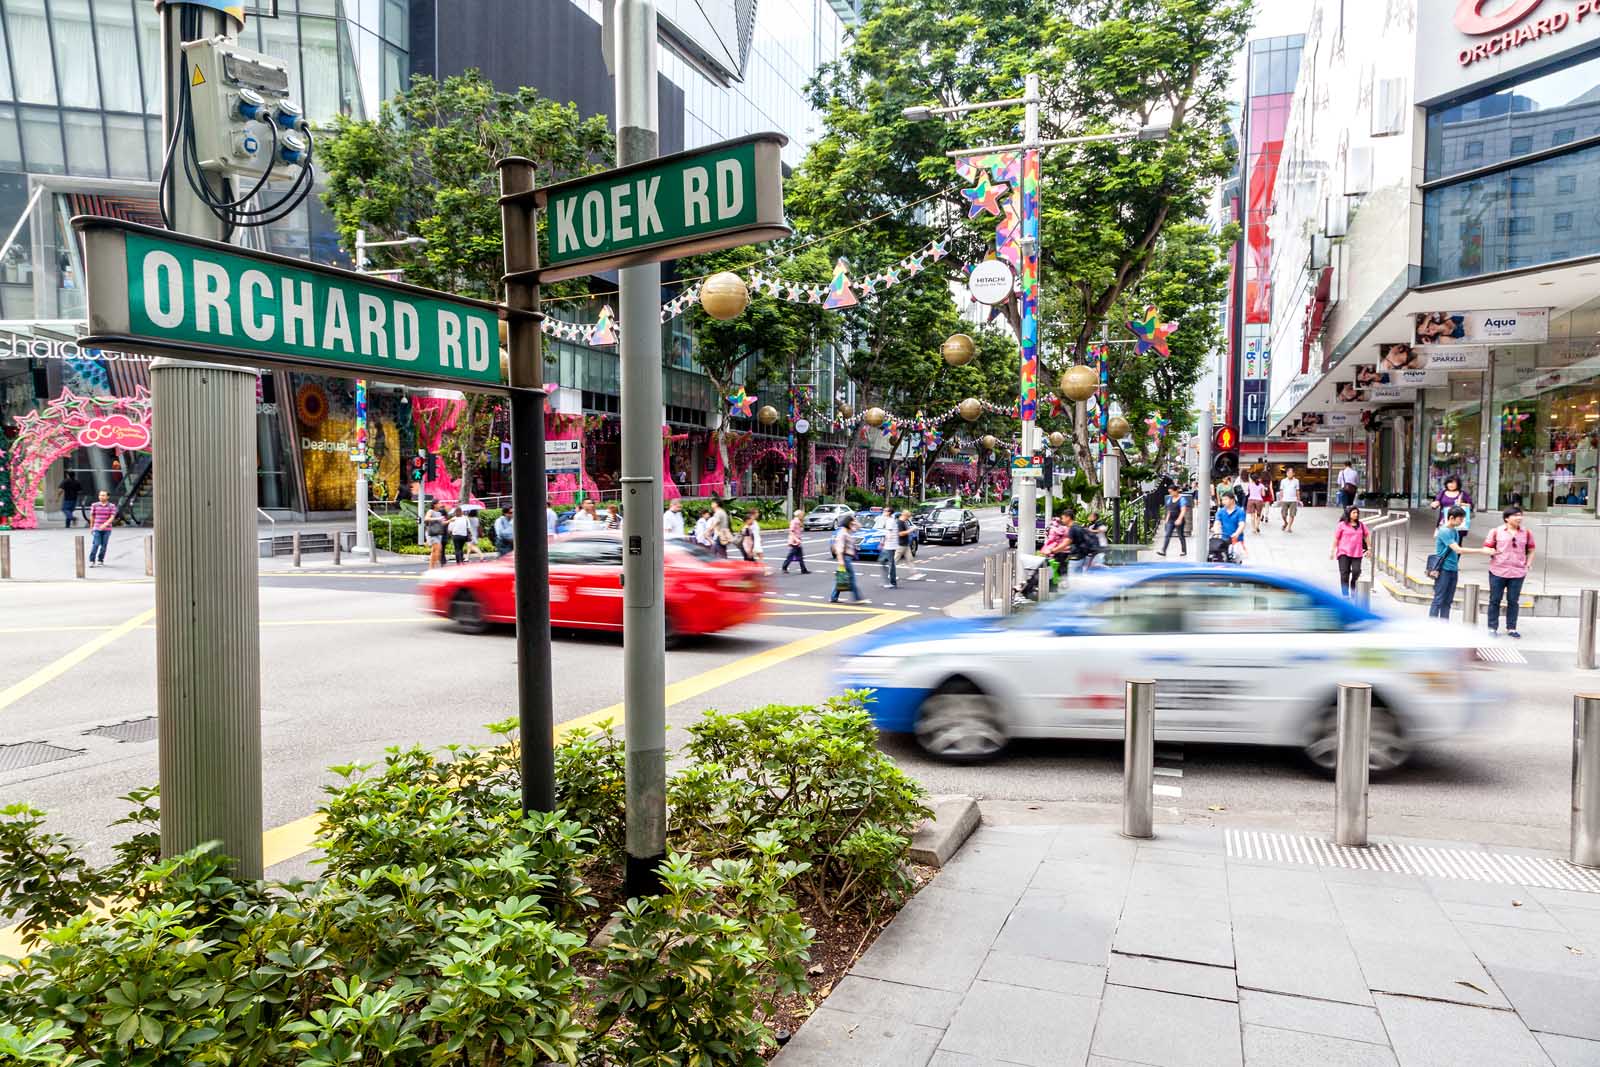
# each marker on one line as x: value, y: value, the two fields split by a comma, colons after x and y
x: 169, y: 294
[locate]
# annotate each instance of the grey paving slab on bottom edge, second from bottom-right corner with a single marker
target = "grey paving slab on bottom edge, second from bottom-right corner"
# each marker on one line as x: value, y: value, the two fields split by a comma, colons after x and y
x: 1434, y: 1034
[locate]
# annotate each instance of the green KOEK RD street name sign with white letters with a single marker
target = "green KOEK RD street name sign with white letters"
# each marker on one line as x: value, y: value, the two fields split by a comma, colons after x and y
x: 678, y: 206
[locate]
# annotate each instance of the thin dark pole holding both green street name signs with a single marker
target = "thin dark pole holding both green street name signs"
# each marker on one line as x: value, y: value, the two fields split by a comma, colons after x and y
x: 529, y: 495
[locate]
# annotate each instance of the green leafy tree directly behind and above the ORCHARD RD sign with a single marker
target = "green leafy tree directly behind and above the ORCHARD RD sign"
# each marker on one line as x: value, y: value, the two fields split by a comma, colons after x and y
x: 425, y: 167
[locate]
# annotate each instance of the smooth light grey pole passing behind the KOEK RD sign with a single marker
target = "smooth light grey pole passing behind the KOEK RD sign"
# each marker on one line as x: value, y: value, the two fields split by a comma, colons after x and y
x: 644, y: 613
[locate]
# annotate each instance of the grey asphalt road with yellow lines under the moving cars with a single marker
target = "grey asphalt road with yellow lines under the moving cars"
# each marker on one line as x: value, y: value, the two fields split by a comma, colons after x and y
x: 351, y: 668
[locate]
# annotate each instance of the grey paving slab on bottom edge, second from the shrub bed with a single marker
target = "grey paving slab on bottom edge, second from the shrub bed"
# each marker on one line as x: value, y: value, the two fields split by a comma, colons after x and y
x: 1023, y: 1026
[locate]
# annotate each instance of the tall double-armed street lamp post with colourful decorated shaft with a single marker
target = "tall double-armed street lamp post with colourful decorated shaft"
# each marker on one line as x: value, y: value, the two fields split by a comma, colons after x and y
x: 1031, y: 146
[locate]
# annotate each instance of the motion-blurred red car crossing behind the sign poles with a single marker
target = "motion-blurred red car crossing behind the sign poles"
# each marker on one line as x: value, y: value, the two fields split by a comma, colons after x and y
x: 705, y: 593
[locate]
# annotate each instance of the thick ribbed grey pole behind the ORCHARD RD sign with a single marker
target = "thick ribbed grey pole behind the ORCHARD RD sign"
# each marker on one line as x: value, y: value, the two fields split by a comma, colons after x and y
x: 207, y: 604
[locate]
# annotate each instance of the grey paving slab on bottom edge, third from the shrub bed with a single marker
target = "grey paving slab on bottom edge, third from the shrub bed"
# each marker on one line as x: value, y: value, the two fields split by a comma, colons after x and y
x: 1151, y: 1028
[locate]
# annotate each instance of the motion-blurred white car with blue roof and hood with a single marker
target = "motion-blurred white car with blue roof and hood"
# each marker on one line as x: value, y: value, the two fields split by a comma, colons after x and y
x: 1238, y: 657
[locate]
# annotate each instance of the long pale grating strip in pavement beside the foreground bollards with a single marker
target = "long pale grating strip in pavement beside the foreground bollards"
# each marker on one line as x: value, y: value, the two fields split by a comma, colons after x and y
x: 1466, y: 865
